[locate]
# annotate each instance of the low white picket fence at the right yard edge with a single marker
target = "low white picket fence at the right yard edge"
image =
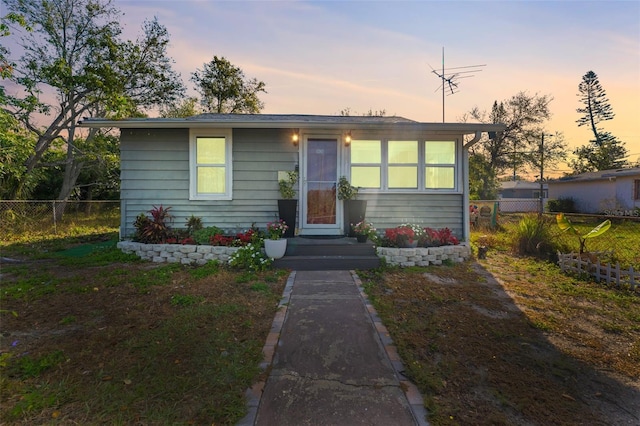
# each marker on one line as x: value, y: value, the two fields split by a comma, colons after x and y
x: 574, y: 262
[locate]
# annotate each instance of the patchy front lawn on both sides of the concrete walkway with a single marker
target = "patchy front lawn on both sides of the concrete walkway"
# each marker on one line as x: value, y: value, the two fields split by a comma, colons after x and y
x: 96, y: 336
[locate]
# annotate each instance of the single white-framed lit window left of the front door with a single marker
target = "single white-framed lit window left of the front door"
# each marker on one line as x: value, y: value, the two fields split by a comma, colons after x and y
x: 210, y: 166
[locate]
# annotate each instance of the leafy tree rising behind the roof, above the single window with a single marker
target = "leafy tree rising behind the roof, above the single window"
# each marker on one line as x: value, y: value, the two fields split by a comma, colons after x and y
x: 225, y: 89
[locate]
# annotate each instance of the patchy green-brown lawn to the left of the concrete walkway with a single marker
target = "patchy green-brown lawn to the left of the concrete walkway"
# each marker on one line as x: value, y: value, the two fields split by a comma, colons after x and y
x: 95, y: 336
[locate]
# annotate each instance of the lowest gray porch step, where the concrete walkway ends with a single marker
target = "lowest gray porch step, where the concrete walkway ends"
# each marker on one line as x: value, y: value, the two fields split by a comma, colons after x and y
x: 327, y: 263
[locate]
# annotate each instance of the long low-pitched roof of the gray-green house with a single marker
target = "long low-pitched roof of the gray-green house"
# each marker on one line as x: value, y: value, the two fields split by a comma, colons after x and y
x: 272, y: 121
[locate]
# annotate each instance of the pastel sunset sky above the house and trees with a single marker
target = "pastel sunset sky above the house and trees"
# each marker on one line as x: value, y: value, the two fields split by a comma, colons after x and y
x: 325, y: 56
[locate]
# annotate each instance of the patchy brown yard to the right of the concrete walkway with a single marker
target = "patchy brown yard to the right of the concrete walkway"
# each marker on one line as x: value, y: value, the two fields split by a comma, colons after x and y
x: 490, y: 348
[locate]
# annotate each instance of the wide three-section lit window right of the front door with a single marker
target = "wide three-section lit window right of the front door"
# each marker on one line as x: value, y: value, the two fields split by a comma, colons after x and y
x: 404, y: 165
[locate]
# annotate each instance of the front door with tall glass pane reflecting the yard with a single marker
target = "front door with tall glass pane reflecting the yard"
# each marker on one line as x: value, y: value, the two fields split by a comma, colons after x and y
x: 320, y: 207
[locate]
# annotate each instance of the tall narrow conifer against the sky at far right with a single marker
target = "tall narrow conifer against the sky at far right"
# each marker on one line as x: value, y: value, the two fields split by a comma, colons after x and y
x: 604, y: 151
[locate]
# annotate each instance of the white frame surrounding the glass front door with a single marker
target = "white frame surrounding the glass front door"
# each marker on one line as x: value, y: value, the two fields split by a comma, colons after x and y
x: 319, y: 229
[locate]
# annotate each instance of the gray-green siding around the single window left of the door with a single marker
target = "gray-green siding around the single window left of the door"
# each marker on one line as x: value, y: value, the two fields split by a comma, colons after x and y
x: 155, y: 171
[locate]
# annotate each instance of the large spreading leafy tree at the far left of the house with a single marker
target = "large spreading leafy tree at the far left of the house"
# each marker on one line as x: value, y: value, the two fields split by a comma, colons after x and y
x: 75, y: 53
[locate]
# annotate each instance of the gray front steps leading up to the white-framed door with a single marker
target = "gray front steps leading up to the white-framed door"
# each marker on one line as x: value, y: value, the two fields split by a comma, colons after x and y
x: 311, y: 254
